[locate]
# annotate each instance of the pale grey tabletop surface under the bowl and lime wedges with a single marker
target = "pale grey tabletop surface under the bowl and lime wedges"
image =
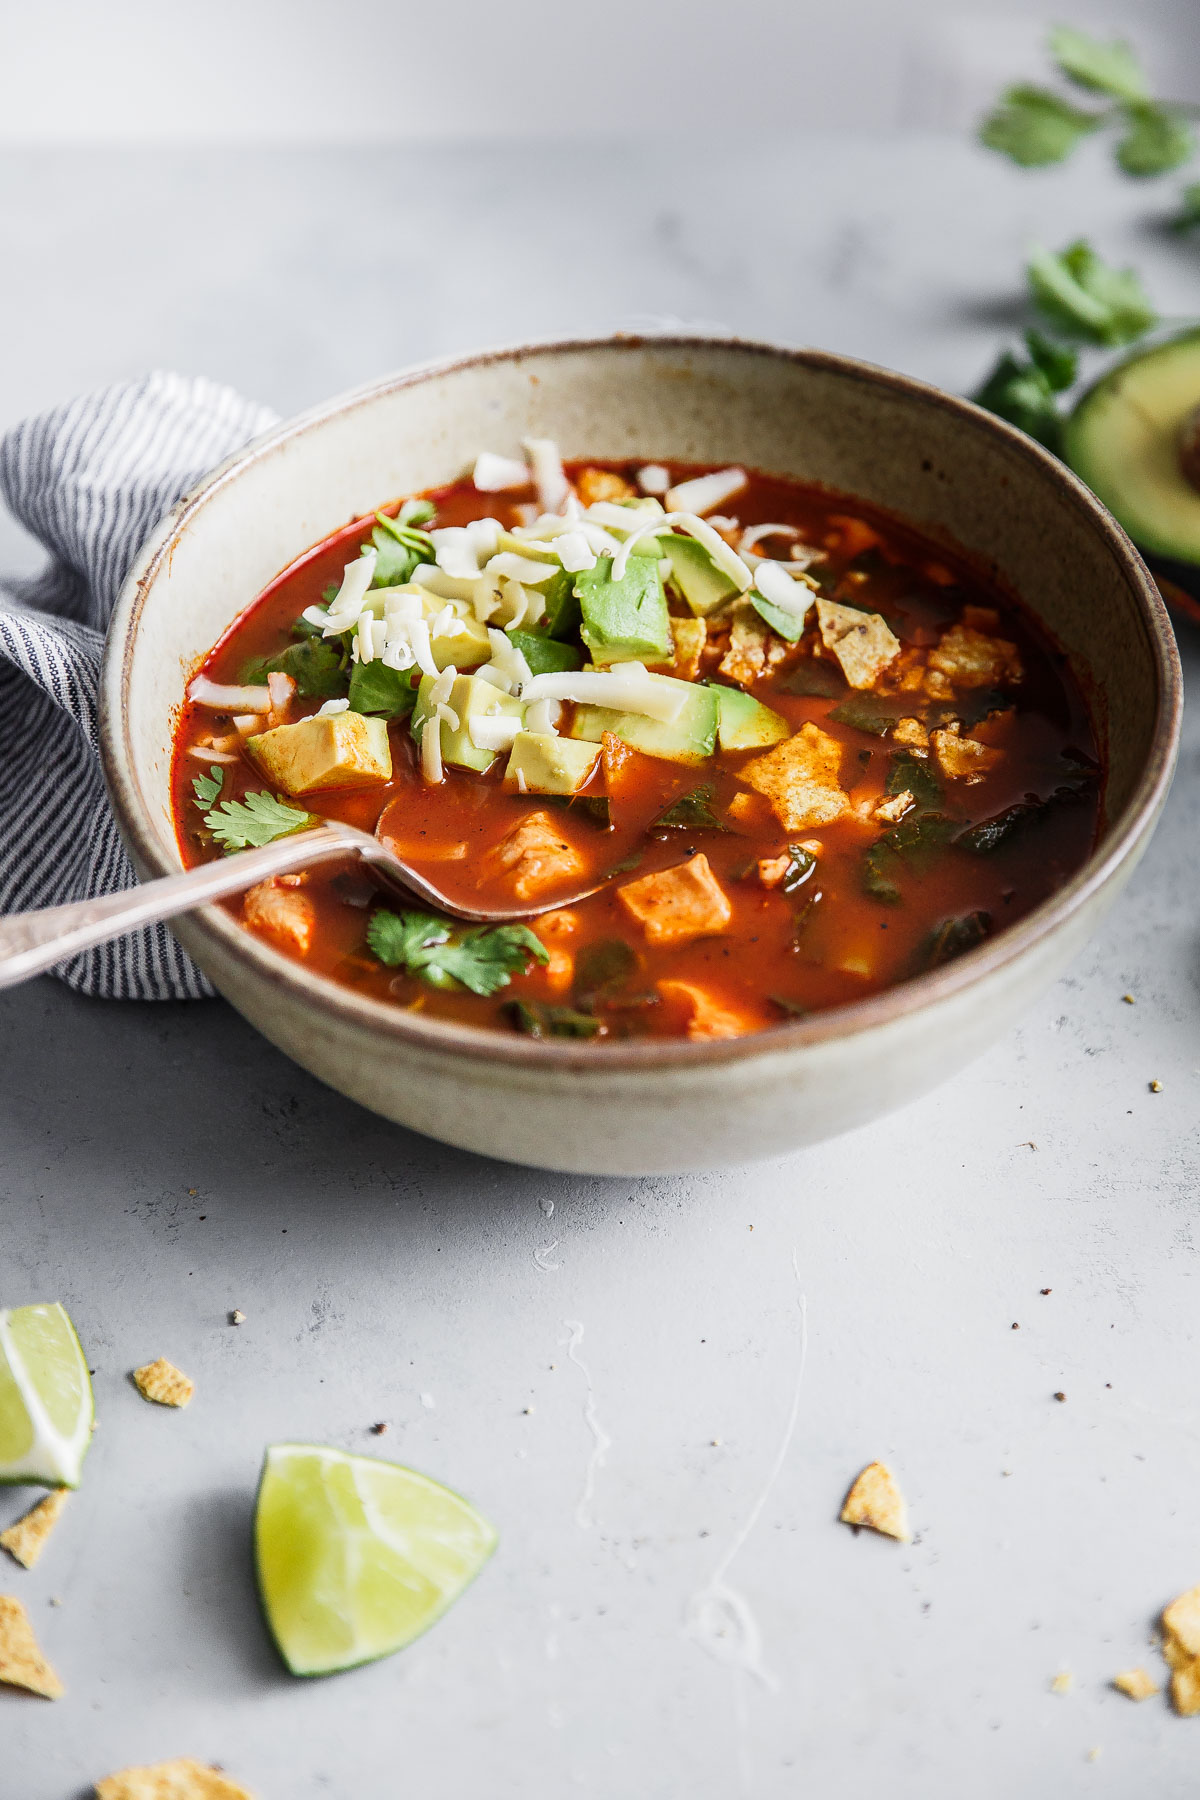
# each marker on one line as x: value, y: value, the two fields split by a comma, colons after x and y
x: 163, y: 1164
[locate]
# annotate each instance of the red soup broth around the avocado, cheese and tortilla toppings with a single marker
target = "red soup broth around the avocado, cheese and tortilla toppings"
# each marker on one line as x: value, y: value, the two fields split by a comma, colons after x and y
x: 882, y: 899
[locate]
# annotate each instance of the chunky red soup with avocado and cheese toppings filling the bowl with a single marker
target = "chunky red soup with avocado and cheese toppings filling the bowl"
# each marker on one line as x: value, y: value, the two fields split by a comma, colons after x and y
x: 809, y: 753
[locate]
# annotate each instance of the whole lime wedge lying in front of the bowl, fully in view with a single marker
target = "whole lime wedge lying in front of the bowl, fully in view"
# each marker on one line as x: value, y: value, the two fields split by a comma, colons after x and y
x: 357, y: 1558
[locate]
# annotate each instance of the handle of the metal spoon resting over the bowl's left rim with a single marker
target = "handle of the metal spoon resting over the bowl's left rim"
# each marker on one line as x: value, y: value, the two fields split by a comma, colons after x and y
x: 35, y: 942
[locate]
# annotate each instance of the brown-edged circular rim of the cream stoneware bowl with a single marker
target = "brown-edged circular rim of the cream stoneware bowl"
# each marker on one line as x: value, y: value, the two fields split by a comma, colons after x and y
x: 487, y: 1045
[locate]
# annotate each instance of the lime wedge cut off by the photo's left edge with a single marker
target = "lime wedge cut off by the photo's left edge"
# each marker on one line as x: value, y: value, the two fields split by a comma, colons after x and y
x: 46, y: 1398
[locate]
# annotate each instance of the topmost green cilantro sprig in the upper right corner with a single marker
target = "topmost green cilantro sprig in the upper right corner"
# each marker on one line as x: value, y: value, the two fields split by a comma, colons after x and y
x: 1039, y: 127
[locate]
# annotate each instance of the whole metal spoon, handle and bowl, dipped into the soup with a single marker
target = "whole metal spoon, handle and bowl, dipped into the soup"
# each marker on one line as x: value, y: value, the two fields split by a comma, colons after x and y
x: 35, y: 942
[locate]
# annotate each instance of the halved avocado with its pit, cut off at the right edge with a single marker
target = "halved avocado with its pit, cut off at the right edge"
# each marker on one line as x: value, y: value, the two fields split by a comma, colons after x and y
x: 1133, y: 440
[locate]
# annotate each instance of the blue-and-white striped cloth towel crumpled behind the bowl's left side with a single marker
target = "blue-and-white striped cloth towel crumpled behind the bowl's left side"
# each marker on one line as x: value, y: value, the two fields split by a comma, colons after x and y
x: 91, y: 481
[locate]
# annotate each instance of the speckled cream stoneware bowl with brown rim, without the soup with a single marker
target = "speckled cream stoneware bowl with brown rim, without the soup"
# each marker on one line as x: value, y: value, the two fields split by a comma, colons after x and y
x: 640, y: 1108
